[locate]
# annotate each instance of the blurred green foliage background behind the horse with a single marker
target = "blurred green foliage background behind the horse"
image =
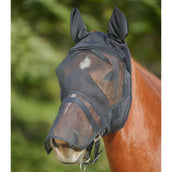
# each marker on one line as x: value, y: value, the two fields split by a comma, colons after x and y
x: 40, y: 37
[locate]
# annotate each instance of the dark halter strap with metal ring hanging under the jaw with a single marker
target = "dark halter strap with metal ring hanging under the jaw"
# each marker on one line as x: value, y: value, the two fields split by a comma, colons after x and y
x: 96, y: 154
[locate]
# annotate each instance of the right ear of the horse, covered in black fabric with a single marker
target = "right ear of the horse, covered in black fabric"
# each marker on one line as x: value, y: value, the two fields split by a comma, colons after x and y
x: 118, y: 26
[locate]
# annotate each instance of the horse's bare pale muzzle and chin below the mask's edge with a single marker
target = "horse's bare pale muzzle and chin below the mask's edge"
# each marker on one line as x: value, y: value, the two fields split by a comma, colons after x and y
x: 66, y: 154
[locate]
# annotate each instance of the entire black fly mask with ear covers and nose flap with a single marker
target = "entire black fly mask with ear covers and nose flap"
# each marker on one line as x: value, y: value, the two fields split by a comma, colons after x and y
x: 103, y: 98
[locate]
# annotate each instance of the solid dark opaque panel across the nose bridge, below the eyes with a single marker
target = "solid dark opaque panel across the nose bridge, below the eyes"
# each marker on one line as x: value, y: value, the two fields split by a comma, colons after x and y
x: 80, y: 82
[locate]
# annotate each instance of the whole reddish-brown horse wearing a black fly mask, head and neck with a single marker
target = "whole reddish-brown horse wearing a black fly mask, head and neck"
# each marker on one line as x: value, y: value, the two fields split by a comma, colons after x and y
x: 105, y: 93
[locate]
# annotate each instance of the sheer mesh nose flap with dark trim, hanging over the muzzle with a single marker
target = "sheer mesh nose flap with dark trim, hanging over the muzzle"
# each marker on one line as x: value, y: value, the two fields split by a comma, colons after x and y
x: 75, y: 124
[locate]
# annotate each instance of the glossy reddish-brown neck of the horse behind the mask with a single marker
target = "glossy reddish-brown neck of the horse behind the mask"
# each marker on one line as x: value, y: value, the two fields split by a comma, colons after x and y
x: 136, y: 147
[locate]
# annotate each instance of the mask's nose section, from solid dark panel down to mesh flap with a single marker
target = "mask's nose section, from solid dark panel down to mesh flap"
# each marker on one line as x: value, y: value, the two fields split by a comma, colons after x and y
x: 80, y: 89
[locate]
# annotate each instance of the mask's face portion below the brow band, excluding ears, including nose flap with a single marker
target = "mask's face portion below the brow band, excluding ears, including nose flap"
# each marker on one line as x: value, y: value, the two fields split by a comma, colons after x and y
x: 88, y: 88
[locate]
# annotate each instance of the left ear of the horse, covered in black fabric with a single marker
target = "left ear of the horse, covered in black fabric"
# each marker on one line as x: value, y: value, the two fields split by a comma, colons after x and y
x: 77, y: 26
